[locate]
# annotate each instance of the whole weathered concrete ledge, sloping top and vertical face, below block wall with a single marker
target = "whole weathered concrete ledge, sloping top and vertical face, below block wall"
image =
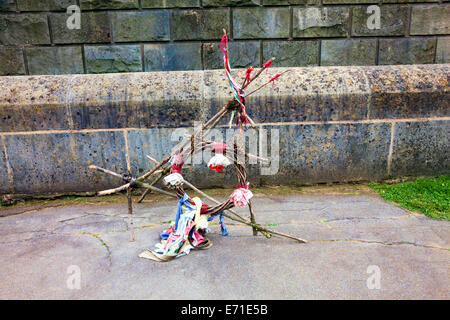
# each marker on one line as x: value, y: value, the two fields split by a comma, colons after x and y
x: 335, y: 124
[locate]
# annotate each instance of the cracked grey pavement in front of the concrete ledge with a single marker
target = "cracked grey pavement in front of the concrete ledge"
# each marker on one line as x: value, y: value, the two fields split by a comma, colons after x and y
x: 360, y: 247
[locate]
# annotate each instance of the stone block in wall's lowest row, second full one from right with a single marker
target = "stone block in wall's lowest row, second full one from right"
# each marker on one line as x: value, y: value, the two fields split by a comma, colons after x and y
x: 348, y: 52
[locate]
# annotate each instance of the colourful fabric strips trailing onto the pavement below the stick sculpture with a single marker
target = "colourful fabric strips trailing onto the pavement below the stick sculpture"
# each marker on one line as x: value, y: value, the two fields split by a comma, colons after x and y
x: 183, y: 235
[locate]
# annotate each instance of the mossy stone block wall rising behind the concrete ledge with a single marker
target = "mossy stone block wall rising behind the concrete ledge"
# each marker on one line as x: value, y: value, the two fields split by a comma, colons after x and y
x: 165, y: 35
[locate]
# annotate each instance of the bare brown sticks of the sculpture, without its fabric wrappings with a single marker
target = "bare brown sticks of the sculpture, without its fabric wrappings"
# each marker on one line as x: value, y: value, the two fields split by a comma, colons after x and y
x: 196, y: 143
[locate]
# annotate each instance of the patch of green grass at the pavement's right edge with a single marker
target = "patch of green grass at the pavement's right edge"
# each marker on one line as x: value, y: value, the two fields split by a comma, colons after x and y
x: 430, y: 196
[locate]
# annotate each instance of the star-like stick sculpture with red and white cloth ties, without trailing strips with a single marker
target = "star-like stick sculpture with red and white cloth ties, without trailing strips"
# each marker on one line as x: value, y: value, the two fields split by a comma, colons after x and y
x: 224, y: 155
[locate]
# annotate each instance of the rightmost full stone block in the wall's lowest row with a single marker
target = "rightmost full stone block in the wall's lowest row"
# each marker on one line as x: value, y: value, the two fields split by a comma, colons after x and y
x: 406, y: 51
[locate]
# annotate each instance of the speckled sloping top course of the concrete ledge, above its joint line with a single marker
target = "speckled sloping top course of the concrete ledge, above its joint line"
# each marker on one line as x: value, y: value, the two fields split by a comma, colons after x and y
x: 172, y: 99
